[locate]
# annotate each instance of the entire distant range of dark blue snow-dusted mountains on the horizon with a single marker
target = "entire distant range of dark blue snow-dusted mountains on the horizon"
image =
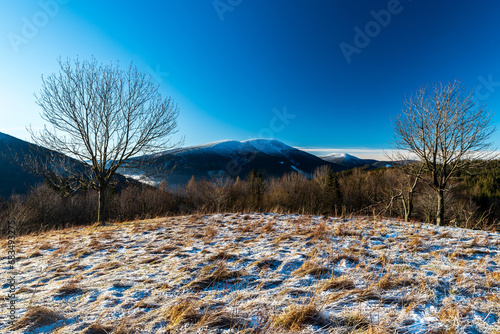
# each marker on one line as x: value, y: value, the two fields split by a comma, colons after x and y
x: 229, y: 158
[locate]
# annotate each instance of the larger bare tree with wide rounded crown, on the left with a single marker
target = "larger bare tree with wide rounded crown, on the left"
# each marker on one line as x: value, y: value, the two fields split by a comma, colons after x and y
x: 104, y: 116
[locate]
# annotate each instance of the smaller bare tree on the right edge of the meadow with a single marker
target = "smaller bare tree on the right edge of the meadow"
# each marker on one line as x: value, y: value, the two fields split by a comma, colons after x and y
x: 446, y: 131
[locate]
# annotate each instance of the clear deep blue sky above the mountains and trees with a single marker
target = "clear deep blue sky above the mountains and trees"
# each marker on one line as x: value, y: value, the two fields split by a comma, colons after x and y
x: 234, y: 66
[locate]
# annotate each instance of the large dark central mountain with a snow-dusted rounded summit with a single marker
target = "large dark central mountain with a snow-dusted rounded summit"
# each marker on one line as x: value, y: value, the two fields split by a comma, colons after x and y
x: 233, y: 158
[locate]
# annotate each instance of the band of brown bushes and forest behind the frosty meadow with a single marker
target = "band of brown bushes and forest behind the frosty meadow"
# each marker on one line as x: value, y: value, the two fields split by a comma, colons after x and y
x: 472, y: 199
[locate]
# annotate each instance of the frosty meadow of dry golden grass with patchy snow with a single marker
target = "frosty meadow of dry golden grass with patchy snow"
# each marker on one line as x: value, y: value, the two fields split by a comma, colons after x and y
x: 257, y: 273
